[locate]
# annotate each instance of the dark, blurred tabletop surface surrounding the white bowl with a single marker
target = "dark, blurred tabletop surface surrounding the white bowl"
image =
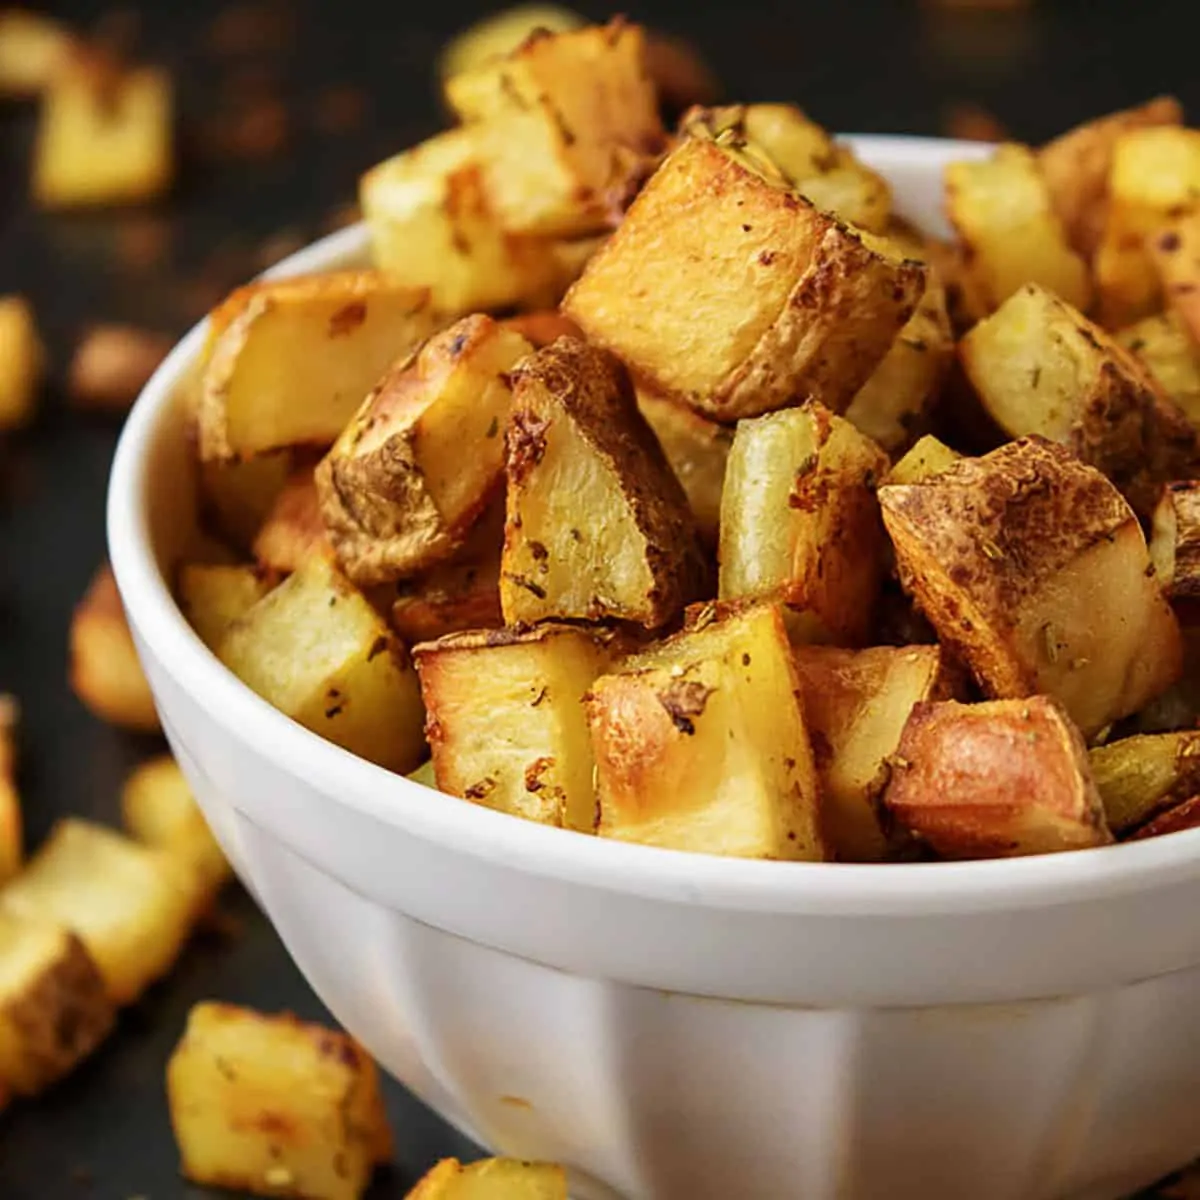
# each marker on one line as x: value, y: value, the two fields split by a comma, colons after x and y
x: 281, y: 107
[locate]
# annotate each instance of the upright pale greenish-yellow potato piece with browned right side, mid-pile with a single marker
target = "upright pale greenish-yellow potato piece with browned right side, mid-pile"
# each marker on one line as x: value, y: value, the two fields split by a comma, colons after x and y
x: 801, y: 525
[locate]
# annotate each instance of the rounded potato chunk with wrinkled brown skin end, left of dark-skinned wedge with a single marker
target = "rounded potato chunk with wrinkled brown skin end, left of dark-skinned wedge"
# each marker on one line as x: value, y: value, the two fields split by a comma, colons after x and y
x: 423, y: 457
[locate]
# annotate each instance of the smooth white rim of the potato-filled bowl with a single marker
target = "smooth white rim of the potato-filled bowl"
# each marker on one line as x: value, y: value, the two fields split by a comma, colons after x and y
x: 473, y: 831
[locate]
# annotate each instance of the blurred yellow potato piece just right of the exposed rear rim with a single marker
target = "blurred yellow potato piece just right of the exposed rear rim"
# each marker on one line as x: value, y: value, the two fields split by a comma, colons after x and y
x: 1011, y: 233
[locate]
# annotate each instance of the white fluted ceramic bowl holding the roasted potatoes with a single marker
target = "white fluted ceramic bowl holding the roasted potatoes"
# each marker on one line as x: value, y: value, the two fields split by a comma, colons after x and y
x: 681, y: 1027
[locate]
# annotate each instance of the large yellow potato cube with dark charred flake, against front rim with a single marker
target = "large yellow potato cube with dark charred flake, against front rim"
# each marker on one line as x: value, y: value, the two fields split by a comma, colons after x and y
x: 701, y: 745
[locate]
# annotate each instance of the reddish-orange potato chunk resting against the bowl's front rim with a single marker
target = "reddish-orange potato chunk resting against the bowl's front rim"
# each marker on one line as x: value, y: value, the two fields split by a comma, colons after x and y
x: 994, y: 781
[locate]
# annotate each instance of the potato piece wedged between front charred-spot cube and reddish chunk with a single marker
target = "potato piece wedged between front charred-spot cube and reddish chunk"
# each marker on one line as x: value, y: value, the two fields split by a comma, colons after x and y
x: 856, y: 704
